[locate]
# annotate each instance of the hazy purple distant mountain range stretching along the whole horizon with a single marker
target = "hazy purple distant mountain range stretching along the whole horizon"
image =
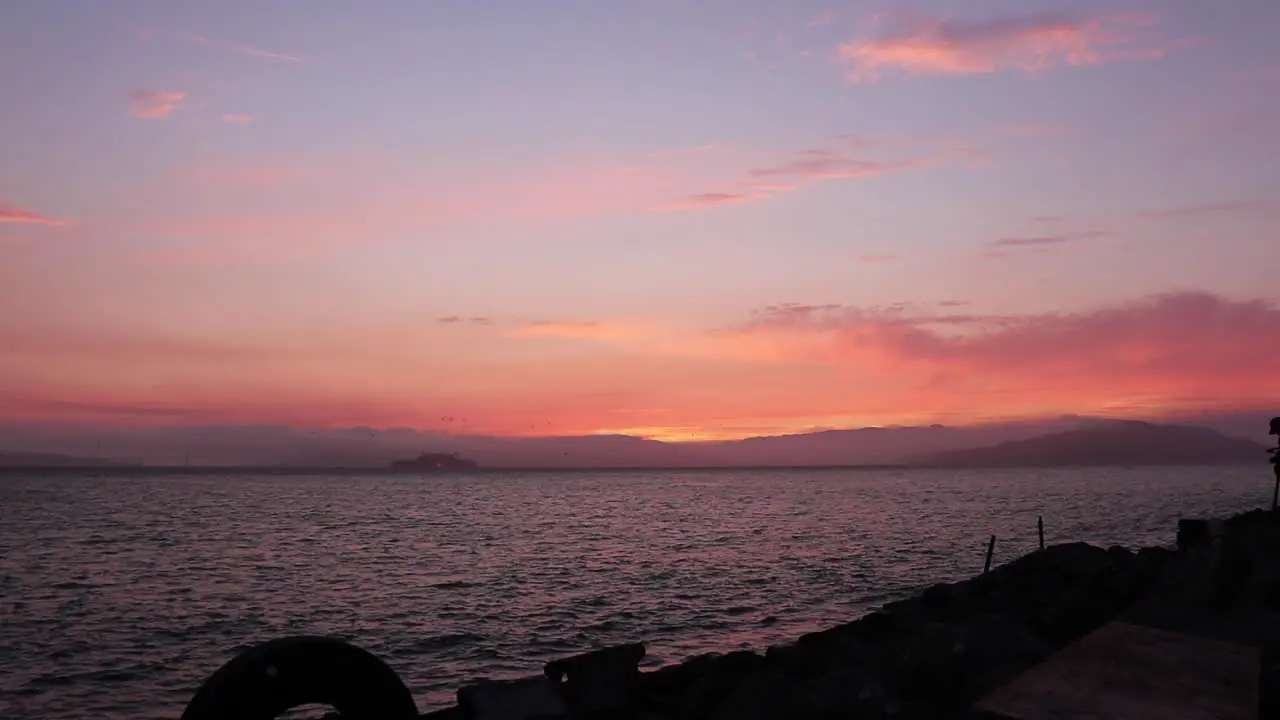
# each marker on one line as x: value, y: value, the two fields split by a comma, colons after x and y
x: 1059, y: 441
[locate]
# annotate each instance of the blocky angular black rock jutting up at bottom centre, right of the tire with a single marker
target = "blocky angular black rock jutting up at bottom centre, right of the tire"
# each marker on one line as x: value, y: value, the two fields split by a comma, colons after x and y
x: 606, y: 680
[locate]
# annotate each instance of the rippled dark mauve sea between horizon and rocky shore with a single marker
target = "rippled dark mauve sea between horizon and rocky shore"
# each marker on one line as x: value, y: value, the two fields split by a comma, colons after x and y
x: 120, y: 596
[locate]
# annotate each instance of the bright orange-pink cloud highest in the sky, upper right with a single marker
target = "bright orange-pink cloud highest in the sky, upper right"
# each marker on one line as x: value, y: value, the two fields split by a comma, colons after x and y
x: 947, y: 47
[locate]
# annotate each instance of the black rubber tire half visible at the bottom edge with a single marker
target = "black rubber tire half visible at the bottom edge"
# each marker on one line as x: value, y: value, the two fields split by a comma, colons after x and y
x: 278, y: 676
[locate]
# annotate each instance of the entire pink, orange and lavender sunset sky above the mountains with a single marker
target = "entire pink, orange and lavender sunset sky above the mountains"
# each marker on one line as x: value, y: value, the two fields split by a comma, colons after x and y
x: 675, y: 218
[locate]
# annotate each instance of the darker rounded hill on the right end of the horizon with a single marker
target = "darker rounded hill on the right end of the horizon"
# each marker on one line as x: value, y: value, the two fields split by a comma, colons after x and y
x: 1113, y: 443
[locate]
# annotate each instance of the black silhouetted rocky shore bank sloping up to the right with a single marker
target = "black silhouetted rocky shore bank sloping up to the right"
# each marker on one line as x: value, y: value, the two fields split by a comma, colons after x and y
x: 938, y: 654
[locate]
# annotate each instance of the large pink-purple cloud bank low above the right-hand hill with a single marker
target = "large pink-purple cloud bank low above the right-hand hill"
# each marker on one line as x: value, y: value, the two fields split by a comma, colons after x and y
x: 1172, y: 349
